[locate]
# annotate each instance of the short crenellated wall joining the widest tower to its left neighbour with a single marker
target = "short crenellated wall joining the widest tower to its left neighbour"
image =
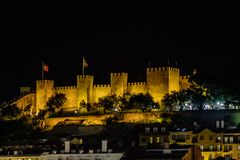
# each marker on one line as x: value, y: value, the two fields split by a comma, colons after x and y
x: 137, y: 87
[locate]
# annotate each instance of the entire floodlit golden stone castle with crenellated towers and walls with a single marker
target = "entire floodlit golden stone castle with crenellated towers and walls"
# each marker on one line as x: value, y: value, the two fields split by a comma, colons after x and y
x: 159, y: 81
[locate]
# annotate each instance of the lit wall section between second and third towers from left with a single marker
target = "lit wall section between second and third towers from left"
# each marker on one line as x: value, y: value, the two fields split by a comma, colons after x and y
x: 100, y: 90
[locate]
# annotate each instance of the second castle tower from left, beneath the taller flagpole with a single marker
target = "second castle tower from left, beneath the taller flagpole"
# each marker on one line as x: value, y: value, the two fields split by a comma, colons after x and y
x: 84, y: 88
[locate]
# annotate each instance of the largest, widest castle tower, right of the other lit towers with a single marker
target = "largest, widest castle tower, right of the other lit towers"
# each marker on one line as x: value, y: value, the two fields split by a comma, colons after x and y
x: 162, y: 80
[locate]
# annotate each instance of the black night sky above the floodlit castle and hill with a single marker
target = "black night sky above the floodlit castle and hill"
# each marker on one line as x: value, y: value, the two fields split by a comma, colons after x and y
x: 116, y: 37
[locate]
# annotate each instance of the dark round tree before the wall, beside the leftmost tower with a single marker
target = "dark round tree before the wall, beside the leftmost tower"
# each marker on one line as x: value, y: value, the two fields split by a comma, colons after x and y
x: 56, y: 102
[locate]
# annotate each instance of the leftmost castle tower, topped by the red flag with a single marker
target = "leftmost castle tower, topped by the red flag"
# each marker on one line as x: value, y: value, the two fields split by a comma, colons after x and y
x: 44, y: 90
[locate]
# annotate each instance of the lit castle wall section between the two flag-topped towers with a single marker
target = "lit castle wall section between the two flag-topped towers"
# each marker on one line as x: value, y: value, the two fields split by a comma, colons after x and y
x: 71, y: 95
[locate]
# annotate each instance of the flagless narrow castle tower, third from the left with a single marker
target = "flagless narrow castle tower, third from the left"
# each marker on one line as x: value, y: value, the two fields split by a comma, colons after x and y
x: 119, y: 83
